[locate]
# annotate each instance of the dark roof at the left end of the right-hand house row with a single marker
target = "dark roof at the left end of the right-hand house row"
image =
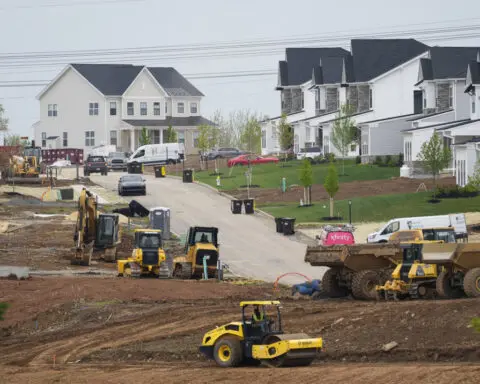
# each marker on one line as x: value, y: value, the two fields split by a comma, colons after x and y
x: 299, y: 63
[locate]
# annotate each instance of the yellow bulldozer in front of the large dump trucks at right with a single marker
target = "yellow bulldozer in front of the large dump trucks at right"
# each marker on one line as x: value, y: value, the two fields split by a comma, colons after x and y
x: 412, y: 277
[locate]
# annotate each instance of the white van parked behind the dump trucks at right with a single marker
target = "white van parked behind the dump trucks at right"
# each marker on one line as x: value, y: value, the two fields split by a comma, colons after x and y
x: 456, y: 220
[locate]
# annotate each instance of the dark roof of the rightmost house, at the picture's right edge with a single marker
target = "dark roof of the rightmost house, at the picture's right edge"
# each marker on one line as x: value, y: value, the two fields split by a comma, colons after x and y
x: 447, y: 63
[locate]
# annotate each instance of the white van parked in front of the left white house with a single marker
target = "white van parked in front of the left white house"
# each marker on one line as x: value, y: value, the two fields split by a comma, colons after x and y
x: 153, y: 154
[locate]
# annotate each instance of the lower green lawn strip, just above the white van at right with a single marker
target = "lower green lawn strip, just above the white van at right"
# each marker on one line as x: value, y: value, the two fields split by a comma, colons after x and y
x: 375, y: 208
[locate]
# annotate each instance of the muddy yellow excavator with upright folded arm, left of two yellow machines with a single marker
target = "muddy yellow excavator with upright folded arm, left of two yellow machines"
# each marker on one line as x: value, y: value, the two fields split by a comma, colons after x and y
x: 94, y: 231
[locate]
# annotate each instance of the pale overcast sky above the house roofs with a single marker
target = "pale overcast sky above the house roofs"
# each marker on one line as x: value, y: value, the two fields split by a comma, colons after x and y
x: 65, y: 25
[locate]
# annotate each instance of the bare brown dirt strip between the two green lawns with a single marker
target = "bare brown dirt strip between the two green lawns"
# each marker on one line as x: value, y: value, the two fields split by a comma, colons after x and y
x: 346, y: 191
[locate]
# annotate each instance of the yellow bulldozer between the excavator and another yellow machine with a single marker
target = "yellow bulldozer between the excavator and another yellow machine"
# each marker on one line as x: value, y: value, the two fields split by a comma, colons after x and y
x: 148, y: 257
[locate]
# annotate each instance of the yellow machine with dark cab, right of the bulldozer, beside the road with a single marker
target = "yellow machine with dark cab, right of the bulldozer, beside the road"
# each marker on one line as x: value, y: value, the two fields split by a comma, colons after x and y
x: 201, y: 247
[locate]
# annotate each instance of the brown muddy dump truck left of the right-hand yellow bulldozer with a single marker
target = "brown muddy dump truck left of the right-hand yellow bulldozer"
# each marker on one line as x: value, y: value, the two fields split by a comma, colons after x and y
x: 354, y: 269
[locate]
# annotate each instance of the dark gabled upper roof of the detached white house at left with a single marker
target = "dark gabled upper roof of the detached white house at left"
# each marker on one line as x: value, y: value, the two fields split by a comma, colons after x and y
x: 114, y: 79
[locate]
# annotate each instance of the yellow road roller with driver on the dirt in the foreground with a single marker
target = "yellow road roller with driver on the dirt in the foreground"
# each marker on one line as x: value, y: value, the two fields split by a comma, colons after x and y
x: 259, y: 339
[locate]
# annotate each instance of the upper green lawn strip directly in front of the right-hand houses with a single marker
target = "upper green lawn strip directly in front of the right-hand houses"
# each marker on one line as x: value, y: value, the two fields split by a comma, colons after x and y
x: 270, y: 175
